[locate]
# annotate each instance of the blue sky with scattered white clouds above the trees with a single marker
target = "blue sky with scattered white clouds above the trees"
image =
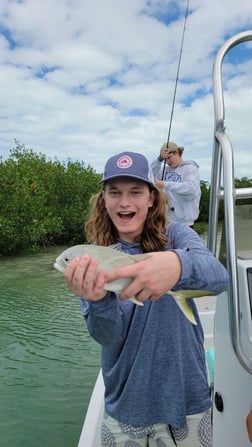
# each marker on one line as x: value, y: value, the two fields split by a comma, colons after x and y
x: 85, y: 79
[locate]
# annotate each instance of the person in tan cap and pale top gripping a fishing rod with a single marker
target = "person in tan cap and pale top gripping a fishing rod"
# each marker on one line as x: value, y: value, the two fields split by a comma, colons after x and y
x: 180, y: 180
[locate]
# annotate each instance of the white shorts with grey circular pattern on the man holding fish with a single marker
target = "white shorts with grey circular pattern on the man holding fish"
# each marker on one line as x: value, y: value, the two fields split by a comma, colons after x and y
x: 196, y: 433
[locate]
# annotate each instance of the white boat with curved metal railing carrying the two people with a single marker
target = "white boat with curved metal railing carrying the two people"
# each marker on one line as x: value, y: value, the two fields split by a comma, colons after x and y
x: 228, y: 330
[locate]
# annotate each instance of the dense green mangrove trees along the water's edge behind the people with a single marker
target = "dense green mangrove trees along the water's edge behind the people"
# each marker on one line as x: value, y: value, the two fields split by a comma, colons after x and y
x: 45, y: 202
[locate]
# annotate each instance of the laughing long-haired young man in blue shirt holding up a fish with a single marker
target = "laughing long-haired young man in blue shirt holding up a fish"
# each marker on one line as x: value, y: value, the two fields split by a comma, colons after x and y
x: 153, y: 360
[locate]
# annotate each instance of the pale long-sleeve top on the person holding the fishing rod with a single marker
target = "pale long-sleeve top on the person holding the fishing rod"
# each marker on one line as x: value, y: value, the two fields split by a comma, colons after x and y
x: 182, y: 185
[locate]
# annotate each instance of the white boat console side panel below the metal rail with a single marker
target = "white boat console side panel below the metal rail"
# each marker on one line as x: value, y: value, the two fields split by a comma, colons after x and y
x: 231, y: 381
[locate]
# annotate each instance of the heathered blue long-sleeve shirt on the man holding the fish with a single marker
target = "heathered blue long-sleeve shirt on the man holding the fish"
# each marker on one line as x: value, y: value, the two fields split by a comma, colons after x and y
x: 153, y: 358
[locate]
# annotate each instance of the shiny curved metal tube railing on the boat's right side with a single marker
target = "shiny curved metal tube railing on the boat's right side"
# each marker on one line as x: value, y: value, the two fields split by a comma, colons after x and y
x: 223, y: 169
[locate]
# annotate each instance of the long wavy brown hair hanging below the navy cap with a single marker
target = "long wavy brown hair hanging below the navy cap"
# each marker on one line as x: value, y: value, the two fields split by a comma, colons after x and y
x: 100, y: 229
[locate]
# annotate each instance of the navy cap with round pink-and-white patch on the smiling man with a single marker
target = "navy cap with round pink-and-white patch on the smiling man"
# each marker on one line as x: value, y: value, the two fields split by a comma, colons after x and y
x: 128, y: 164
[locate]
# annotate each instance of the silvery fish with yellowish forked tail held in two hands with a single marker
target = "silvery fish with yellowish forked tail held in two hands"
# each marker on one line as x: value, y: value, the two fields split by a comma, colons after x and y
x: 110, y: 258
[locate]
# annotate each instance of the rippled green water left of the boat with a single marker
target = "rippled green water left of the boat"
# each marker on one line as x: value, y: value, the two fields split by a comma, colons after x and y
x: 48, y: 361
